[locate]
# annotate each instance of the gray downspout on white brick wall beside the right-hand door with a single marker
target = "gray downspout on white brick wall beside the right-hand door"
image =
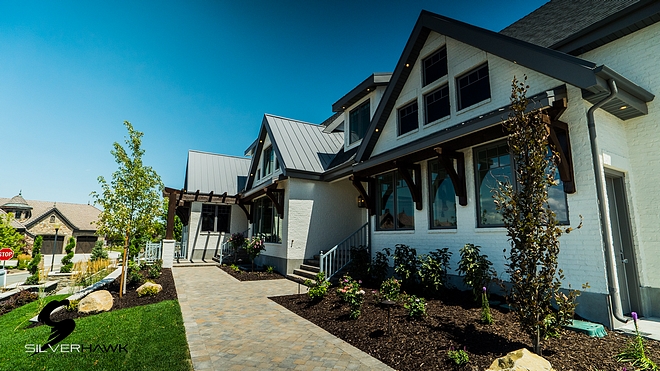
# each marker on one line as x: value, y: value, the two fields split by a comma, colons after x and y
x: 601, y: 193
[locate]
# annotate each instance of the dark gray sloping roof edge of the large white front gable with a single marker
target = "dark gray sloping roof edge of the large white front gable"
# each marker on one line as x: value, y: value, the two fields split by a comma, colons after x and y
x: 575, y: 71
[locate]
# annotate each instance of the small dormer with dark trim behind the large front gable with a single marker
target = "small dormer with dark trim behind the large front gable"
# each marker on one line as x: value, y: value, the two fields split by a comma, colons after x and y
x: 356, y: 109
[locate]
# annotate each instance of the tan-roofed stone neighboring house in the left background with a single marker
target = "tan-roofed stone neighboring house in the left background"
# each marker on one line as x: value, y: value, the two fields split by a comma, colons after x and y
x: 41, y: 218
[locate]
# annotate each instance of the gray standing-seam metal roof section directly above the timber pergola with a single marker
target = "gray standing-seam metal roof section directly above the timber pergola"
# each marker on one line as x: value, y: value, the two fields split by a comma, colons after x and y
x: 210, y: 172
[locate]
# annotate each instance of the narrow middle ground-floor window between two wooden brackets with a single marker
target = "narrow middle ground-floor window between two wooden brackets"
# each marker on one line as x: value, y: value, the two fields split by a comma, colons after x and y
x: 442, y: 198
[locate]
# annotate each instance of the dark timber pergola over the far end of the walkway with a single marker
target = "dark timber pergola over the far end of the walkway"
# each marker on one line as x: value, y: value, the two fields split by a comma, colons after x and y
x: 179, y: 204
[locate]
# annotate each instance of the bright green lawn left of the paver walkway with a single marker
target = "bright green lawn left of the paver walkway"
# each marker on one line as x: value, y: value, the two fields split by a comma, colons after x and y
x: 153, y: 335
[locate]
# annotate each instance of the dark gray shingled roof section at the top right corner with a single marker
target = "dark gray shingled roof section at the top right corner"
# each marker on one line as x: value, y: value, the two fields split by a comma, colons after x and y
x: 559, y: 19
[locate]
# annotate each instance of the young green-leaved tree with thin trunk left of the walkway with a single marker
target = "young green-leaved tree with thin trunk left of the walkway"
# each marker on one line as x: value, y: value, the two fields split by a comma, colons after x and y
x: 131, y: 201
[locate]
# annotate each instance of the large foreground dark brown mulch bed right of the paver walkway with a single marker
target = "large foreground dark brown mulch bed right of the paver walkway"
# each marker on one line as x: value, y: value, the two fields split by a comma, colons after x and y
x: 452, y: 322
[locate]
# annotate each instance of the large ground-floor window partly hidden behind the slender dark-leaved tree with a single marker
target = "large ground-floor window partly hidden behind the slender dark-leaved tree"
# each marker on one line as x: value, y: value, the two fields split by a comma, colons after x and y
x: 493, y: 163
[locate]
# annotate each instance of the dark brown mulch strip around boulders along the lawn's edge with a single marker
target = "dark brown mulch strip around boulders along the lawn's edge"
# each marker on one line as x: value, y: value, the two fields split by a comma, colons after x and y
x: 130, y: 299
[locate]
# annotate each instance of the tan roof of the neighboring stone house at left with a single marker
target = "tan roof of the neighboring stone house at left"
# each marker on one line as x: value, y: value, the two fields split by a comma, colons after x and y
x: 79, y: 216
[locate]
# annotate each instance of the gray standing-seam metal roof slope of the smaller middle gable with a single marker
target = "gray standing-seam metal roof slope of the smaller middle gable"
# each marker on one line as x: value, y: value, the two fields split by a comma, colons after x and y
x: 303, y: 146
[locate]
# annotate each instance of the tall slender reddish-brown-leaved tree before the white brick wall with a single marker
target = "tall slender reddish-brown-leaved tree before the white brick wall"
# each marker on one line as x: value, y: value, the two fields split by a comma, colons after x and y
x: 531, y: 225
